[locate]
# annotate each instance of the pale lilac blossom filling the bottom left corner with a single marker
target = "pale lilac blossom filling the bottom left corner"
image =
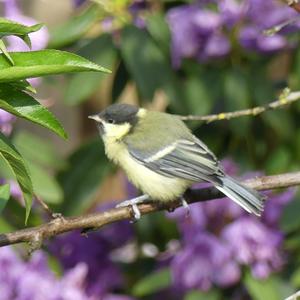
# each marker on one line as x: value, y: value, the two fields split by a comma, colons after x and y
x: 19, y: 279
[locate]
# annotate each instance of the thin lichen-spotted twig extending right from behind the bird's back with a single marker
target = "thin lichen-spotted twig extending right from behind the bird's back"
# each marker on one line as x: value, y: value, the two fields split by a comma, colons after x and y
x: 285, y: 98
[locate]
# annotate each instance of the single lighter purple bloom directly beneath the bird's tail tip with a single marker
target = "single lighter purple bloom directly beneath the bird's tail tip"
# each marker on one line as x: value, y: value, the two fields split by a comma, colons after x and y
x: 254, y: 244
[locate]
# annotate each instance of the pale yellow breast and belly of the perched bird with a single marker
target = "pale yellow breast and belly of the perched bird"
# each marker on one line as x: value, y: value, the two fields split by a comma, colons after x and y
x: 157, y: 186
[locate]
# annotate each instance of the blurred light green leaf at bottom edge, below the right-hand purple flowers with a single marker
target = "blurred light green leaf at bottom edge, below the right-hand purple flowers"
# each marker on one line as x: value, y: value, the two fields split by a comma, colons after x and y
x: 263, y: 289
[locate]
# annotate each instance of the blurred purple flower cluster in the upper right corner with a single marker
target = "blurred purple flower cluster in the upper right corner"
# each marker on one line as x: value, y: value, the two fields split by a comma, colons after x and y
x: 200, y: 32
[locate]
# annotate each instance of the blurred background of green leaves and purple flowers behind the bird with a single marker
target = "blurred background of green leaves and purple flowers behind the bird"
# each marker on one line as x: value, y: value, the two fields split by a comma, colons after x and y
x: 183, y: 57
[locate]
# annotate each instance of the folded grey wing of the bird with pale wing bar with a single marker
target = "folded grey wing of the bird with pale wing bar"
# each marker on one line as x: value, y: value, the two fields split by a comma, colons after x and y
x: 187, y: 159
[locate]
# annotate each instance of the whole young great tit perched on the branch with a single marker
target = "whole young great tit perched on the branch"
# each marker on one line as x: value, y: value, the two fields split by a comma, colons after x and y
x: 162, y: 157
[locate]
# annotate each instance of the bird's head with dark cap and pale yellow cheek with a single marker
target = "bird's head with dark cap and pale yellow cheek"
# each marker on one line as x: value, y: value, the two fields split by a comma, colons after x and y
x: 117, y: 120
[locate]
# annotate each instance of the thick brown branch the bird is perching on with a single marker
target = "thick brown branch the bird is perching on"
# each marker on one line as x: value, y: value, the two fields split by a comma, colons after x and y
x: 36, y: 235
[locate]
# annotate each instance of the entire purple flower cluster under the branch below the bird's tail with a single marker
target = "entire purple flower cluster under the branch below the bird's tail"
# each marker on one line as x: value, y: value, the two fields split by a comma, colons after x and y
x: 219, y: 238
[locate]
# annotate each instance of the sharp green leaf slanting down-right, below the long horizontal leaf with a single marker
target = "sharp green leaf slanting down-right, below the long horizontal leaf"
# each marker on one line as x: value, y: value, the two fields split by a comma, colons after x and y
x: 24, y: 106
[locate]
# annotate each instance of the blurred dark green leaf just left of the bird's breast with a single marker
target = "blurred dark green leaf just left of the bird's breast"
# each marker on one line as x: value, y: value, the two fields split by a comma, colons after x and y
x: 88, y: 166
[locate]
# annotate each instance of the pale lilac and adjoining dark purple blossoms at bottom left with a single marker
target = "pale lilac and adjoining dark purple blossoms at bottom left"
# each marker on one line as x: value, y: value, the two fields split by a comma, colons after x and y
x: 89, y: 273
